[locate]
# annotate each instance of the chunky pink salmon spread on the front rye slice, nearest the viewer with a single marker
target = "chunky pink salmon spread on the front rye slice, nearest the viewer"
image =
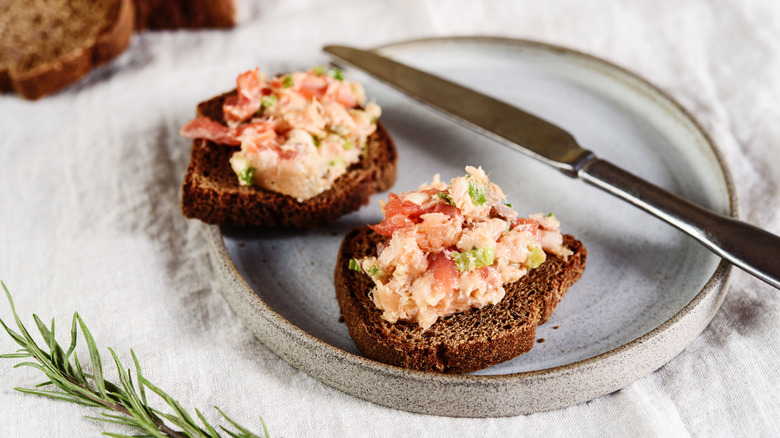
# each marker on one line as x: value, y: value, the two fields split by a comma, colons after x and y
x: 452, y: 247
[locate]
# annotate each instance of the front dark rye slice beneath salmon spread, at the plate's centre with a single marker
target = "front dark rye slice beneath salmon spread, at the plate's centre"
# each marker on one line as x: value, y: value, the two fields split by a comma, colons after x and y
x: 460, y: 343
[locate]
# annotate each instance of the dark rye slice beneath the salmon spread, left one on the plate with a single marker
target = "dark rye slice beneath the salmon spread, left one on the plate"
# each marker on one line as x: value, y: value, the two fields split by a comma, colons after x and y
x: 212, y: 194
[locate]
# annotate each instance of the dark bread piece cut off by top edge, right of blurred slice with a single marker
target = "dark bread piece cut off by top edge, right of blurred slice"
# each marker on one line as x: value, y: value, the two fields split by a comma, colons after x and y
x: 184, y: 14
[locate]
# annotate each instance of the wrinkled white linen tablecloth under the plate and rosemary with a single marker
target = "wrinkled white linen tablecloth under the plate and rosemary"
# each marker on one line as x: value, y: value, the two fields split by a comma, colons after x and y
x: 89, y: 215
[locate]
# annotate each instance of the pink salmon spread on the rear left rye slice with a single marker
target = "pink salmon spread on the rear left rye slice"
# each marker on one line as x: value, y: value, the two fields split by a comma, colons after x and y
x: 298, y: 132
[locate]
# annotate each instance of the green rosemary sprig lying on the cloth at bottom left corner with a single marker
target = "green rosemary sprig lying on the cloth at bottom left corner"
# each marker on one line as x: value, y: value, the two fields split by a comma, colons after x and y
x: 127, y: 398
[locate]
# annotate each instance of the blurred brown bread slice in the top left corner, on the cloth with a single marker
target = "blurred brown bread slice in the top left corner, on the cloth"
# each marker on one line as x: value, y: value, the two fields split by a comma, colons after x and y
x: 44, y: 48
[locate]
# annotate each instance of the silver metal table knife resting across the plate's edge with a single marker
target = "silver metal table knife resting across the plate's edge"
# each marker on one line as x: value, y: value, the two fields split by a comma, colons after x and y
x: 750, y: 248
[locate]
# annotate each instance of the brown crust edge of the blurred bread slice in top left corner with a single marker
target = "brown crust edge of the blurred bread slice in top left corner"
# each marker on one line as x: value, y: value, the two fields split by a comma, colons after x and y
x: 70, y: 67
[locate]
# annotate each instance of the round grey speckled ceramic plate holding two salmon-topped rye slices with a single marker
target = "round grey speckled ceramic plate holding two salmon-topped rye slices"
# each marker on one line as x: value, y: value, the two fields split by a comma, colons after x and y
x: 647, y: 291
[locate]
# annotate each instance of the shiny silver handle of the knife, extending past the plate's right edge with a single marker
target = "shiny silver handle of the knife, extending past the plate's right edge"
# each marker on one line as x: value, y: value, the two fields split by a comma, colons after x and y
x: 750, y: 248
